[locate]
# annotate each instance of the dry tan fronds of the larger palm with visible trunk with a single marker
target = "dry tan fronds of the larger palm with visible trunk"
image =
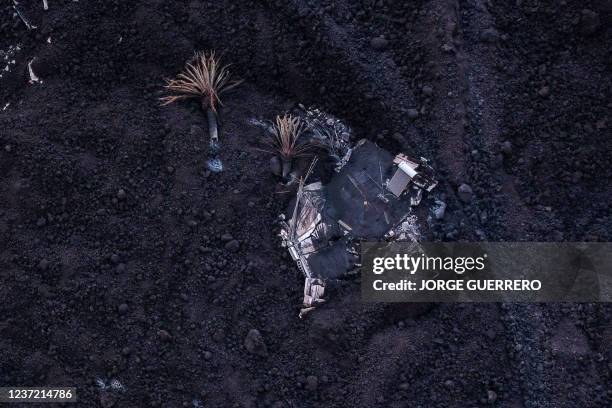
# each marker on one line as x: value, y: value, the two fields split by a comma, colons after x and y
x: 203, y: 77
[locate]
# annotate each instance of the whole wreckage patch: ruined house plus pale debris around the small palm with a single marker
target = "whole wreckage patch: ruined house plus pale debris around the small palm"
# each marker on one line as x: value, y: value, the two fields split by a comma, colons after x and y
x: 368, y: 194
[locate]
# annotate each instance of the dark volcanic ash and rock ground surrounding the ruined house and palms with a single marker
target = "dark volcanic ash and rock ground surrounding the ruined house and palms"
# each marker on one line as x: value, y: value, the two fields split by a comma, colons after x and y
x: 122, y: 257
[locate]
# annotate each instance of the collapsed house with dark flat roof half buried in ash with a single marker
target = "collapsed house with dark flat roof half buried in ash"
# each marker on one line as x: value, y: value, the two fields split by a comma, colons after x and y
x: 368, y: 198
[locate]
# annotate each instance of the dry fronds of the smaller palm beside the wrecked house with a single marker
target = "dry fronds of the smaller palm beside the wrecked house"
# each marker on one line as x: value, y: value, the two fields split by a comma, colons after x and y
x: 285, y: 139
